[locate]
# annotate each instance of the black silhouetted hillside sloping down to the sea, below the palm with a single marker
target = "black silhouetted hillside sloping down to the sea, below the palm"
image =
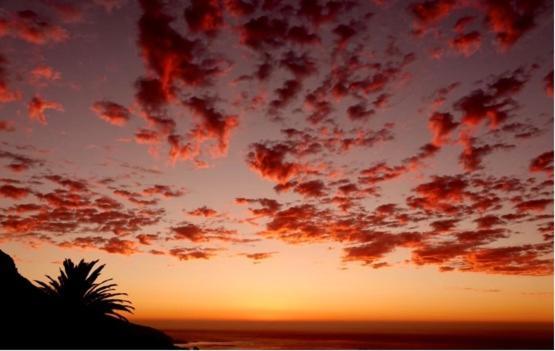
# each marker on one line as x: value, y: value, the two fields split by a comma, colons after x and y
x: 30, y: 319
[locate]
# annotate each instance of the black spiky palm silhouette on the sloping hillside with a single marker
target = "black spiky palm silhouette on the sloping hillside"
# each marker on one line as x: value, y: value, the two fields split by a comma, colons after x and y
x: 77, y: 290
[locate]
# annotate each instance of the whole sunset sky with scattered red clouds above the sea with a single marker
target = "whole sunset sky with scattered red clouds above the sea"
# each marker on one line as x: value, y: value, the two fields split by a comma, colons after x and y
x: 285, y: 160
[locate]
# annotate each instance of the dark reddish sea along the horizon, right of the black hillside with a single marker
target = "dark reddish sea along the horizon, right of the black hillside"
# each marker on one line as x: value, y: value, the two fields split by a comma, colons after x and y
x: 358, y: 335
